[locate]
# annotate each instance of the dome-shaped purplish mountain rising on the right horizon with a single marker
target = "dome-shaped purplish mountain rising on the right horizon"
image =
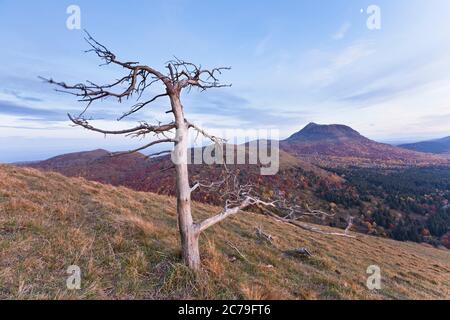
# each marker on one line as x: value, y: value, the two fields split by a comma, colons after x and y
x: 339, y: 145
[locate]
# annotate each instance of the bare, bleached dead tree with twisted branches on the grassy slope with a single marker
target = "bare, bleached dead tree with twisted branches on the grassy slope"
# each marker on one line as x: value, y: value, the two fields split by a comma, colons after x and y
x: 179, y: 75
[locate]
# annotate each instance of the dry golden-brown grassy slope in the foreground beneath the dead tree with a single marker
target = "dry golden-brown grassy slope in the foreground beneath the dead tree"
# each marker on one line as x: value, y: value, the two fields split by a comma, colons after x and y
x: 127, y: 246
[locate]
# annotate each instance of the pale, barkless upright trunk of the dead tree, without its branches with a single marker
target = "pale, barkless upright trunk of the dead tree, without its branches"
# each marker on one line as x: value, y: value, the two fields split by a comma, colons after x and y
x: 188, y: 230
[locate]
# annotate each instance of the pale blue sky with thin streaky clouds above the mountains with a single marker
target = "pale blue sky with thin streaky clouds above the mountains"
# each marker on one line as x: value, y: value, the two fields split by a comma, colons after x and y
x: 293, y: 62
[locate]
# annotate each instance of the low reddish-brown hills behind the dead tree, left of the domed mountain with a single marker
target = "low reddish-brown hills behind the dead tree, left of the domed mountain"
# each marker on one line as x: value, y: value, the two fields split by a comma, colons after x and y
x: 139, y: 173
